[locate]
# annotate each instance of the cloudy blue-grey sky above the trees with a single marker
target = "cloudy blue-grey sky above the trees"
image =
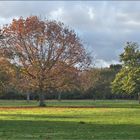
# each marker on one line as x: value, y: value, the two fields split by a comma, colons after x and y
x: 104, y: 26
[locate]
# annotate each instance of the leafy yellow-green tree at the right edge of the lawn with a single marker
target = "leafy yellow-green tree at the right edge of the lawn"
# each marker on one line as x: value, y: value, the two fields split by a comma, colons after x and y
x: 128, y: 79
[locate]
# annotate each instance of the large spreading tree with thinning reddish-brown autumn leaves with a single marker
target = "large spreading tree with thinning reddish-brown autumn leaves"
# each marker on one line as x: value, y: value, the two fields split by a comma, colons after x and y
x: 44, y: 50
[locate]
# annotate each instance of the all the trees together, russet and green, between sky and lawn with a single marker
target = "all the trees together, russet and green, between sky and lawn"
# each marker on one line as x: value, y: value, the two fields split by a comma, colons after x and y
x: 48, y: 58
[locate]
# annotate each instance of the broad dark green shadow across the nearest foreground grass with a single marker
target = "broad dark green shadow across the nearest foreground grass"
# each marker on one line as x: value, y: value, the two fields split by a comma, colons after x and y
x: 59, y: 130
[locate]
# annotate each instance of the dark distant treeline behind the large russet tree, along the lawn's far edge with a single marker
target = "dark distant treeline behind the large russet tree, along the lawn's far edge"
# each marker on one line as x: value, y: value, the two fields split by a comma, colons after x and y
x: 100, y: 88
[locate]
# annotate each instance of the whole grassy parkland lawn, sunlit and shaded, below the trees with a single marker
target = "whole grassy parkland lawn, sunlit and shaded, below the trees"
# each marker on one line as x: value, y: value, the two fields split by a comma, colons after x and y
x: 70, y: 120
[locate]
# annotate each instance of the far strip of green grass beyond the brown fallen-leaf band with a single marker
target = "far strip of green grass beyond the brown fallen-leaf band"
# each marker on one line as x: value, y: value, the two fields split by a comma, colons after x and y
x: 66, y: 103
